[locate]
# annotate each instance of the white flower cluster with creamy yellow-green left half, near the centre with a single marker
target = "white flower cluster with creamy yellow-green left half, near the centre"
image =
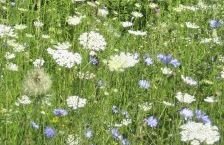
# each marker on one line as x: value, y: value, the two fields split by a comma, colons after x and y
x: 122, y: 61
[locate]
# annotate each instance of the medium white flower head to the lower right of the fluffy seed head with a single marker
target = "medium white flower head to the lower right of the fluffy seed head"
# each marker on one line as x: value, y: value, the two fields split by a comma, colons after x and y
x: 75, y: 102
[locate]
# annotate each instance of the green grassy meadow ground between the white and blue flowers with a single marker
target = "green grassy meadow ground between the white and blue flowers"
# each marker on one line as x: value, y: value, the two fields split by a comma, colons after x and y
x: 166, y: 33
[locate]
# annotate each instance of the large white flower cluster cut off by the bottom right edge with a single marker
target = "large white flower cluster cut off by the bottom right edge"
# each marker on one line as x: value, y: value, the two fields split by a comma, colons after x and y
x: 199, y: 133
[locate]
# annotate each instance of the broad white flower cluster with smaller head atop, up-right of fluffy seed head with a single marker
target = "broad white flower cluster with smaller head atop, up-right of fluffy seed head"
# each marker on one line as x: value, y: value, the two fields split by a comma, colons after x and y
x: 63, y: 57
